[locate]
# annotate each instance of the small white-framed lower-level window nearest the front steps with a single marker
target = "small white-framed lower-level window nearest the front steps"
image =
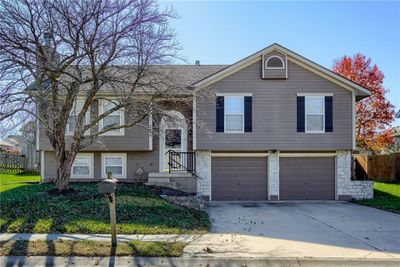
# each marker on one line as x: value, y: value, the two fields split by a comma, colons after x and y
x: 114, y: 163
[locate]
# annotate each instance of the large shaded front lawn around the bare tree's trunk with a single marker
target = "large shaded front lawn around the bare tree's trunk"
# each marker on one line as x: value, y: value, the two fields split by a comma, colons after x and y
x: 27, y: 208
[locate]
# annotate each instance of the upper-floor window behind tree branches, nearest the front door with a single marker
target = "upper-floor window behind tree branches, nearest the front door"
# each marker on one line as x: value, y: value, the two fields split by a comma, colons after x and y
x: 116, y: 118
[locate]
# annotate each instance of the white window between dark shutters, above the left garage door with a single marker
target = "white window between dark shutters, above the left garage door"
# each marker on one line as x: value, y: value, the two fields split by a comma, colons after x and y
x: 234, y: 114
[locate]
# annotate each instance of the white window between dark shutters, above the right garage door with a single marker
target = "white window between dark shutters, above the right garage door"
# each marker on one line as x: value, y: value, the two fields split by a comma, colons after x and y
x: 315, y: 114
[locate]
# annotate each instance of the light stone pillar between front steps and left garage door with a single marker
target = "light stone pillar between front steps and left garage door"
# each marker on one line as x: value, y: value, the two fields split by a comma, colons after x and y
x: 203, y: 170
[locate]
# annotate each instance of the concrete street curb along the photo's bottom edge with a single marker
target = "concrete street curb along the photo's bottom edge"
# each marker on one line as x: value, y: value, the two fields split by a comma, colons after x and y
x: 191, y: 262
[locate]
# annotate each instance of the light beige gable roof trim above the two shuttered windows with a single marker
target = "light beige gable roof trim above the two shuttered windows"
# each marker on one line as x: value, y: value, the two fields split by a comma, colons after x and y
x: 292, y: 56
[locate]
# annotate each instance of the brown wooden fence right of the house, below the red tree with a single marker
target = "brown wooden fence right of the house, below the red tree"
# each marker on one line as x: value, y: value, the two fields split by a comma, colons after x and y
x: 378, y: 167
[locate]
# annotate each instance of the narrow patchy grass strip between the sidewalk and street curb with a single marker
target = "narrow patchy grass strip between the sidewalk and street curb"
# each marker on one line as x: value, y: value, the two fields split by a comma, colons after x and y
x: 68, y: 248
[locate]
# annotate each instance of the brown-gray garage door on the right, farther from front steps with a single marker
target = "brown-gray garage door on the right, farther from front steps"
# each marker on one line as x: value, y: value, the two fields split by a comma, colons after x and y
x: 307, y: 178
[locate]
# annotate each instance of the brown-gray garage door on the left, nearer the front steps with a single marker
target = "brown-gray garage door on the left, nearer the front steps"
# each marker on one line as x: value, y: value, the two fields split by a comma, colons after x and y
x: 239, y: 178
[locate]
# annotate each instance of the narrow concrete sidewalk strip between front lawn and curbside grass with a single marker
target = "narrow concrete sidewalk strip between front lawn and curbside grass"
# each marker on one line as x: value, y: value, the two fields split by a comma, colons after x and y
x: 98, y: 237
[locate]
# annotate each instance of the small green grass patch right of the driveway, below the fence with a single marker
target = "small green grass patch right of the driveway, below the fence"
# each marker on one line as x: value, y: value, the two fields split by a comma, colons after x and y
x: 386, y: 197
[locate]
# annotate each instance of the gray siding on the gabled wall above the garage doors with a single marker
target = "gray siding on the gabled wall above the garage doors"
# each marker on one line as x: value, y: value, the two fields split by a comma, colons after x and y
x: 274, y: 113
